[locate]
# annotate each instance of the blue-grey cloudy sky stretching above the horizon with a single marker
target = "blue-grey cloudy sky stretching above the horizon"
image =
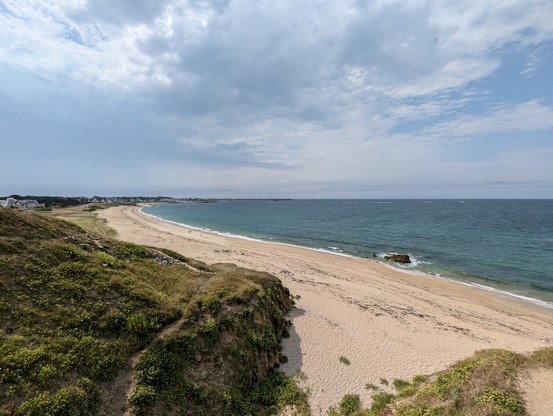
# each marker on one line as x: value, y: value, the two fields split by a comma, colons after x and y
x: 277, y: 98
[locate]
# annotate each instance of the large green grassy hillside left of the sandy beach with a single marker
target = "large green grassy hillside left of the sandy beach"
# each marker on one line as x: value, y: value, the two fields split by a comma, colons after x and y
x: 76, y: 307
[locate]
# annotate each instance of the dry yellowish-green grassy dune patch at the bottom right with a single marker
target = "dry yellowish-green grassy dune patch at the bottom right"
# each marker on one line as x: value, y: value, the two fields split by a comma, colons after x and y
x: 484, y: 384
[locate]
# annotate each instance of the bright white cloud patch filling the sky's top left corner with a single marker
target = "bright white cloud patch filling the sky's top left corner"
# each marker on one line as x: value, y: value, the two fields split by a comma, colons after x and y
x: 44, y: 40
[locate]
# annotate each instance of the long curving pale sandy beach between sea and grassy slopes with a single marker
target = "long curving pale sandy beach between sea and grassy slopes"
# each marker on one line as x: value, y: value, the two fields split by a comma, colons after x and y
x: 387, y: 323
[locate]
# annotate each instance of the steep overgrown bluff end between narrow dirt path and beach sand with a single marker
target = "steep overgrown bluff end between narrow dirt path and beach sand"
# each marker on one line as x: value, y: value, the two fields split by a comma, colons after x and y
x: 212, y: 364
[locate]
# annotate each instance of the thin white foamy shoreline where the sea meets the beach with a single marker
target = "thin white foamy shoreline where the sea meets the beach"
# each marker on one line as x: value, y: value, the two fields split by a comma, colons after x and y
x: 414, y: 272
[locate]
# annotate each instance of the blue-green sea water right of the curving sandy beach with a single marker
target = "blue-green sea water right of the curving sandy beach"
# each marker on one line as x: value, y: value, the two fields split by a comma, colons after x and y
x: 505, y: 245
